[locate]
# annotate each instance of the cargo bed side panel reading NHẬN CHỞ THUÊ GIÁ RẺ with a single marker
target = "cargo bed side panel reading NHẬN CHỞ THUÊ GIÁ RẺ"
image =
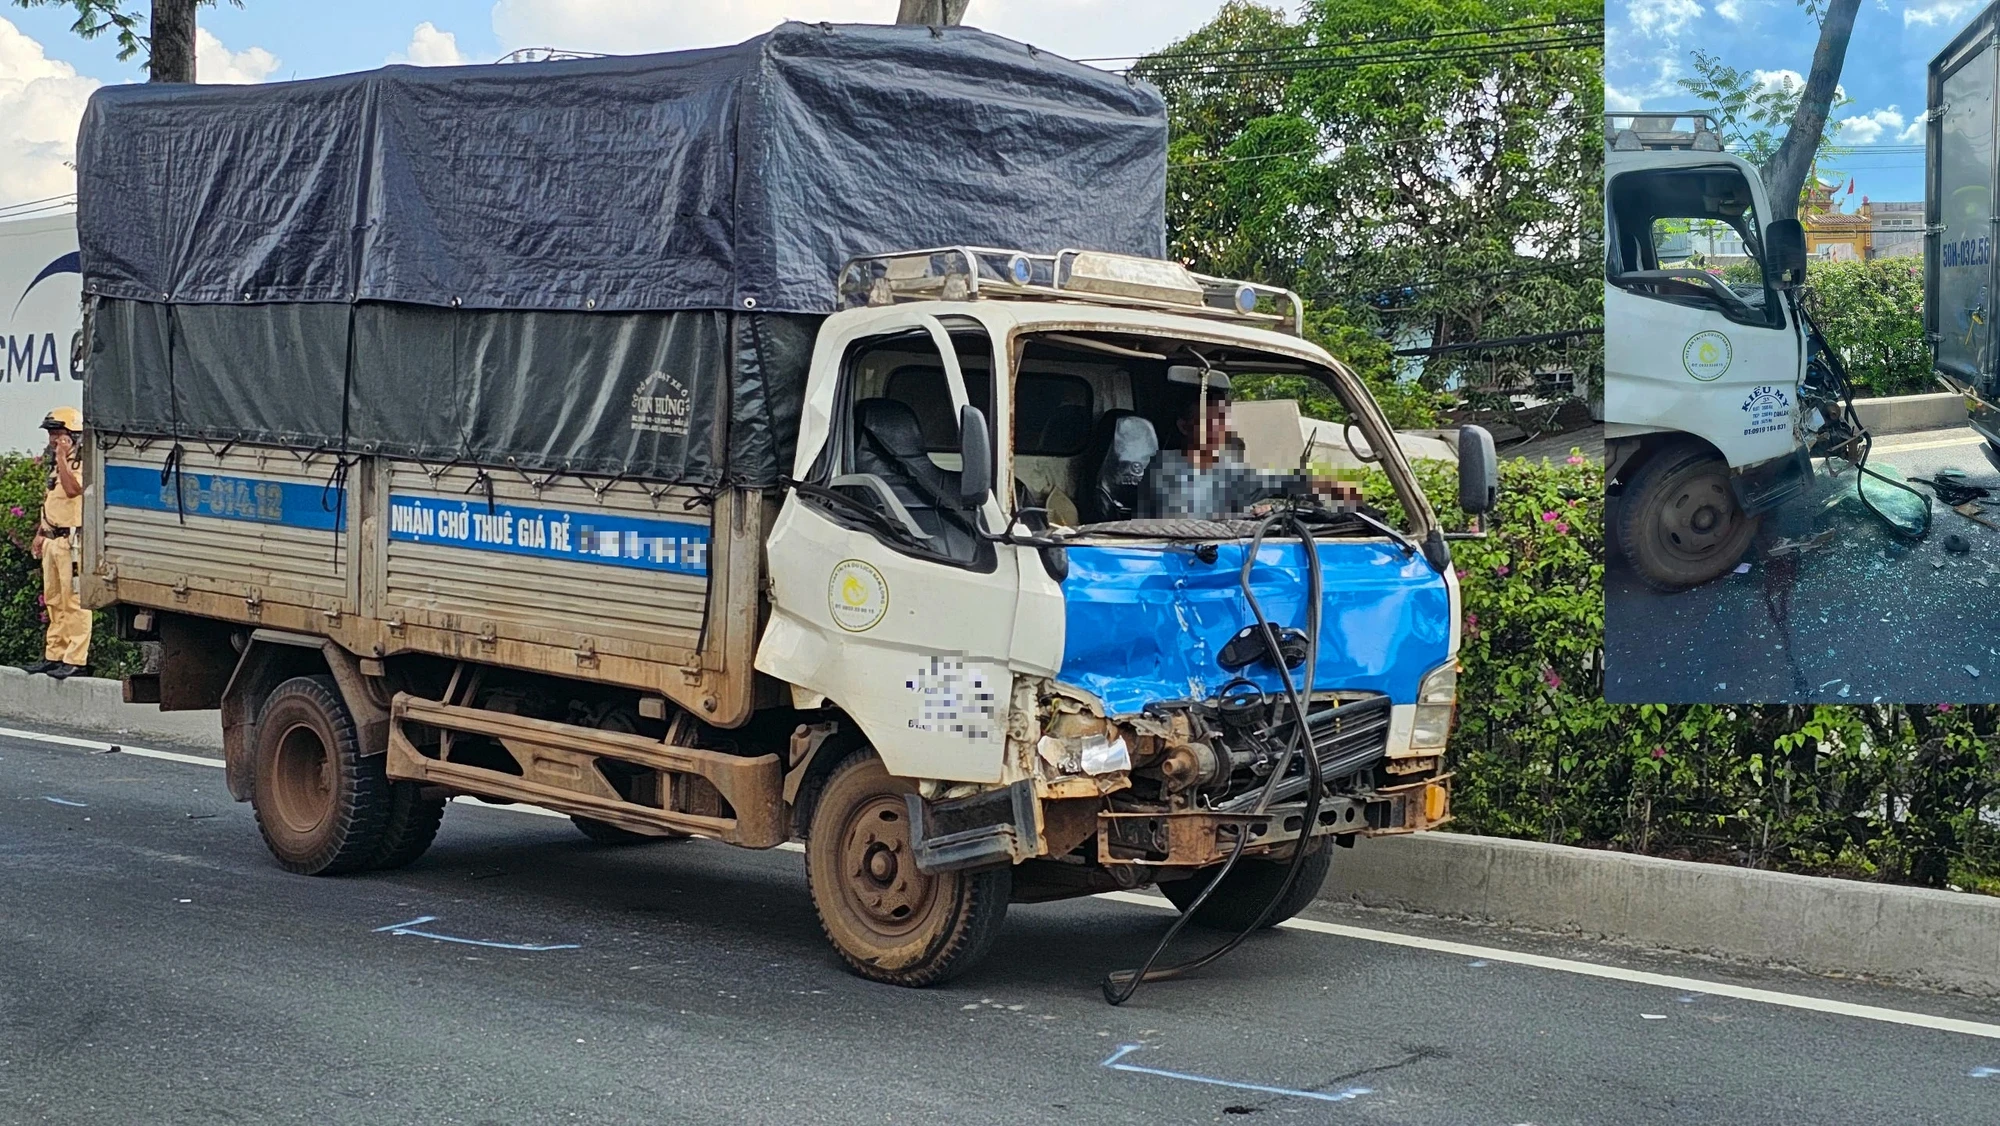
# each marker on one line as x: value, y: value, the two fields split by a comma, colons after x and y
x: 607, y: 581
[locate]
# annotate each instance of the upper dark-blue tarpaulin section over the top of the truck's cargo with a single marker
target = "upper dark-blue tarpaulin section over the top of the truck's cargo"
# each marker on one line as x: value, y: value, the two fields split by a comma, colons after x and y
x: 713, y: 179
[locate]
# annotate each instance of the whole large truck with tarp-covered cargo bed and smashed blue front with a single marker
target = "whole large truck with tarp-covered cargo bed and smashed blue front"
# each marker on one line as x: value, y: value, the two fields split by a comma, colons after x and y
x: 743, y: 445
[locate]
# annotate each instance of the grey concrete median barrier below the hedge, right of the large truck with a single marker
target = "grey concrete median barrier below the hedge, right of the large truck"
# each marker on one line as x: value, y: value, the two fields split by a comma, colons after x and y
x: 1809, y: 923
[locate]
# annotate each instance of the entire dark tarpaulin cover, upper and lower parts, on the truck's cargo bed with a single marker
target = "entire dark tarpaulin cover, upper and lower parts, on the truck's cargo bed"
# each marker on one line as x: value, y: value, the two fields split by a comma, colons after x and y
x: 601, y: 267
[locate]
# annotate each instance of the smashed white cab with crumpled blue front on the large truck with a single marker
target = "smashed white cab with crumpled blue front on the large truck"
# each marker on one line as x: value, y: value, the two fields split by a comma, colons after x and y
x: 961, y: 571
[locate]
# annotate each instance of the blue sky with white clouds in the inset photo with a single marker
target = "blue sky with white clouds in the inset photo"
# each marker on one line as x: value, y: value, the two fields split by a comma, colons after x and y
x: 1651, y: 45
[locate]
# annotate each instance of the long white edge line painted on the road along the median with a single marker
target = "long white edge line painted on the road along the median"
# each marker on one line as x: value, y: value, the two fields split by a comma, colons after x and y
x: 1337, y: 929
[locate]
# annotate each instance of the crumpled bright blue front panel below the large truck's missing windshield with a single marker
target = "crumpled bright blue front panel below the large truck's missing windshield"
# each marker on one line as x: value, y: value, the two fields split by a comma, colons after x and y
x: 1147, y: 623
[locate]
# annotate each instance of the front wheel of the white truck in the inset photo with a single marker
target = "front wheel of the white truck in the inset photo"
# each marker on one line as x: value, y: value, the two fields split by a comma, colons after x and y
x: 1679, y: 521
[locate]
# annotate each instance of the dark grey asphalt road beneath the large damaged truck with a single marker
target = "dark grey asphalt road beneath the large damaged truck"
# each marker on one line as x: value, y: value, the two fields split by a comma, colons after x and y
x: 155, y: 967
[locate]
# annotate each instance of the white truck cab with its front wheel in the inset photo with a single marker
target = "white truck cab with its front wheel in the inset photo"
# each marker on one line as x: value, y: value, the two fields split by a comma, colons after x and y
x: 1705, y: 373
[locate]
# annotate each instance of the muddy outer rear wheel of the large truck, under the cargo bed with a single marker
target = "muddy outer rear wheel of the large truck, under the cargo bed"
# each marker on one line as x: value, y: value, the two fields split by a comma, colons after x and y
x: 319, y: 803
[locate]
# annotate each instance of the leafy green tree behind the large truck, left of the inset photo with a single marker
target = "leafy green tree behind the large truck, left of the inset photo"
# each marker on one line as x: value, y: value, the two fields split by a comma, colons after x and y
x: 1427, y: 173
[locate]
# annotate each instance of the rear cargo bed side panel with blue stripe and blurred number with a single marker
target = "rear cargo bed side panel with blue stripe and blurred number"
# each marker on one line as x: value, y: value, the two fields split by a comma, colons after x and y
x: 253, y: 527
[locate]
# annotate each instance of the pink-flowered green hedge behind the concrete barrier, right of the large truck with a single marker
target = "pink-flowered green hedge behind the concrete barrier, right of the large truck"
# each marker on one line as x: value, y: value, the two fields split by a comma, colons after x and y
x: 1893, y: 793
